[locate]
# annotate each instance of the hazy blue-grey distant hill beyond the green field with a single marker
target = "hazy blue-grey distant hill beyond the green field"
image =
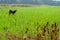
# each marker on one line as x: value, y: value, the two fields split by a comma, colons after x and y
x: 35, y: 2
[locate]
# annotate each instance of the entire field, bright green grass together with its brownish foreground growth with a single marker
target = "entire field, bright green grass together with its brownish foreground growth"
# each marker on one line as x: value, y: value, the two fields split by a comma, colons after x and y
x: 33, y: 18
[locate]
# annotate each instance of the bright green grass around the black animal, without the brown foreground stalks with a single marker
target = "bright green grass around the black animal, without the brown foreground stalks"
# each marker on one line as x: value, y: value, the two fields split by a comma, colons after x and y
x: 31, y: 15
